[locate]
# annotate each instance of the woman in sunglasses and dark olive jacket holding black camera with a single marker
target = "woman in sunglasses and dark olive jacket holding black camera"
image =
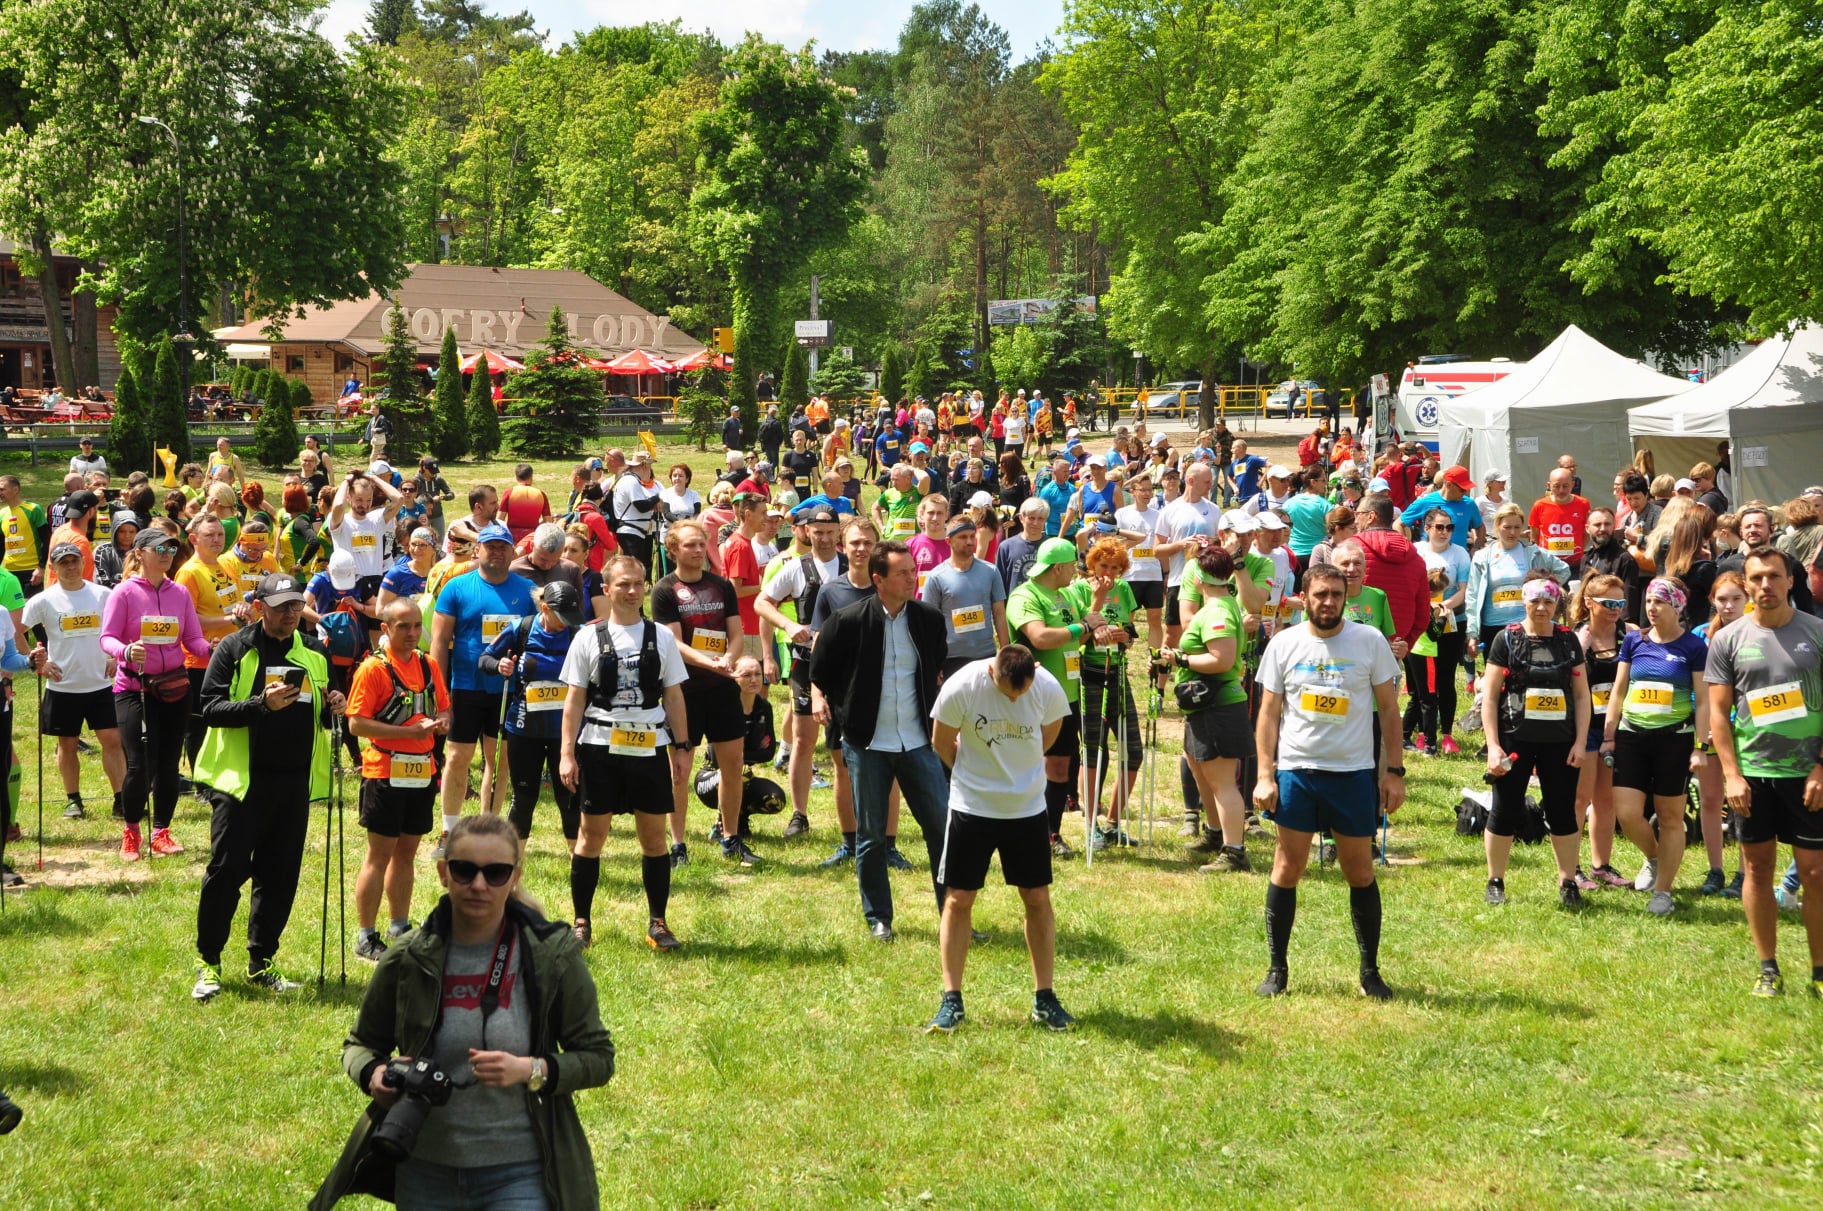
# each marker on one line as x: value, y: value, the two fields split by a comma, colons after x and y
x: 502, y: 1004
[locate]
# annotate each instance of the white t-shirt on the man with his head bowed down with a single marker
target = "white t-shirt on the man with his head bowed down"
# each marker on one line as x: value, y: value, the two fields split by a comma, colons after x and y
x: 1000, y: 756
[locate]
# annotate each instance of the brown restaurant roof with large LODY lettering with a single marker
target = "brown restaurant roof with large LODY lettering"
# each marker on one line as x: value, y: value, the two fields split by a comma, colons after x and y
x: 489, y: 307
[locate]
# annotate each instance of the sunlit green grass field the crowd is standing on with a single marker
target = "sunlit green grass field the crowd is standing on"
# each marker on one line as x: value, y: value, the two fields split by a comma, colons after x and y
x: 1607, y: 1059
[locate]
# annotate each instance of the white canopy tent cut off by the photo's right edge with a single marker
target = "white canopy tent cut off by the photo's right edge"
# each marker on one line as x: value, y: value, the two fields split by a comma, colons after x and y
x: 1758, y: 406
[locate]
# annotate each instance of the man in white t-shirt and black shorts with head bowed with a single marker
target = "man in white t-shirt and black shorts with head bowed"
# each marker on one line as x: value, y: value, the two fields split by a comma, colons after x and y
x: 994, y: 719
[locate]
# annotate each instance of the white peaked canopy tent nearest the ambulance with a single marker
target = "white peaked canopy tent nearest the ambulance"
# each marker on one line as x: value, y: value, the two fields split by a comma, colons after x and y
x: 1569, y: 400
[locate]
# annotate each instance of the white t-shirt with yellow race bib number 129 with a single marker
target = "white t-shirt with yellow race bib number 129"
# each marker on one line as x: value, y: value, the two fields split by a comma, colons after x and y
x: 1328, y: 688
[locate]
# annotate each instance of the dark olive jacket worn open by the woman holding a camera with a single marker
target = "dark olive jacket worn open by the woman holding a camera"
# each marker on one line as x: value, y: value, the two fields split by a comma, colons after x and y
x: 398, y: 1019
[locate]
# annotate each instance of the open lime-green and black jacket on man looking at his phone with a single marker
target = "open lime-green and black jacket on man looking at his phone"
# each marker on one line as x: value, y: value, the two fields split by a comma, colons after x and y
x: 231, y: 705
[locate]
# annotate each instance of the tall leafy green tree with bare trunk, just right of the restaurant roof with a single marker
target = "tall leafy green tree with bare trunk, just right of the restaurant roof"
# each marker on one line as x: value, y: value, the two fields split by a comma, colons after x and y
x: 778, y: 183
